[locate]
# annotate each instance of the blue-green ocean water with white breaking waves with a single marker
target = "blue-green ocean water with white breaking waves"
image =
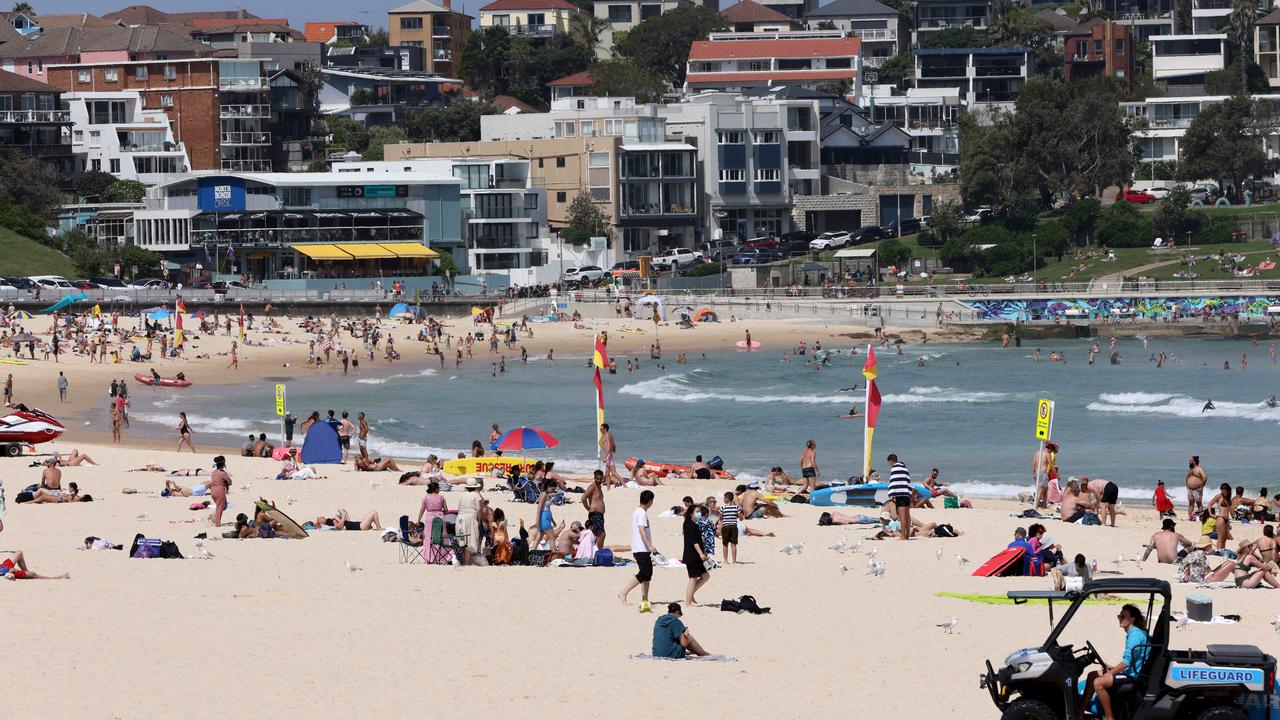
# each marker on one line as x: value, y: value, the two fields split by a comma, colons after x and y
x: 970, y: 412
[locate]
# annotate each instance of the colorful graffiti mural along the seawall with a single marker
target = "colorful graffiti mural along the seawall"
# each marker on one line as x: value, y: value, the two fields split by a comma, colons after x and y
x: 1098, y: 308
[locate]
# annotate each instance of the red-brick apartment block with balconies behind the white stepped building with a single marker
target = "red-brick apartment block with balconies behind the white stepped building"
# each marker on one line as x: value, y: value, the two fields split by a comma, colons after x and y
x: 218, y: 110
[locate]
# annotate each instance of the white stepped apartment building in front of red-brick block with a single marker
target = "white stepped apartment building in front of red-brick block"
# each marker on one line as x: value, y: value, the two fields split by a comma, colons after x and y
x: 113, y: 133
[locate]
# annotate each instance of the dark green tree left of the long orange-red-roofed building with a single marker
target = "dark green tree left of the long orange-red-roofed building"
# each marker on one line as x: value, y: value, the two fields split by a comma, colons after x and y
x: 661, y: 44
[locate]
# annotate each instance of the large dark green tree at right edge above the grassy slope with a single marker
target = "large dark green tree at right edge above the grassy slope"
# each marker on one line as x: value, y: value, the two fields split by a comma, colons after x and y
x: 1228, y: 140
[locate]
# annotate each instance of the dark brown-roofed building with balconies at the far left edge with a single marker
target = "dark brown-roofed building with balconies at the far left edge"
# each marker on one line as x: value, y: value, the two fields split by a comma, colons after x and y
x: 33, y: 121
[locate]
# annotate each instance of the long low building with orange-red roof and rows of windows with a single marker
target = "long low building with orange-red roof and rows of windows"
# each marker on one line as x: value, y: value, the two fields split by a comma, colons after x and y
x: 735, y: 61
